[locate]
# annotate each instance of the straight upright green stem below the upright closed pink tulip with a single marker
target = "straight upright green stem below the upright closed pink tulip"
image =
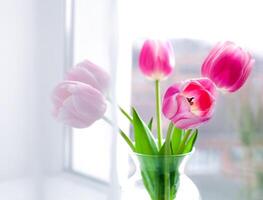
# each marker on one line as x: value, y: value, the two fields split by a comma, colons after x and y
x: 158, y: 113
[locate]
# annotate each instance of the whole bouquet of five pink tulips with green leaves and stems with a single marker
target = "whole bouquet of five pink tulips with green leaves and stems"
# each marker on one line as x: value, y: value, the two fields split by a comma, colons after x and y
x: 80, y: 100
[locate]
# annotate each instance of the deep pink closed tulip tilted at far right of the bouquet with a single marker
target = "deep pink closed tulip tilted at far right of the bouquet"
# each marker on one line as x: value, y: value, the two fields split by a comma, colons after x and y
x: 228, y: 66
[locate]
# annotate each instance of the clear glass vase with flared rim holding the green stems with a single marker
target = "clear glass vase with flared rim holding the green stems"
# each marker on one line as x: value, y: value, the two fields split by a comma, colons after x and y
x: 160, y: 178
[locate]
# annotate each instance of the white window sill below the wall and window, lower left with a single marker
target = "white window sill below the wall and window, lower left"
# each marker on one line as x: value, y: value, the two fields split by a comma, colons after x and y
x: 63, y: 186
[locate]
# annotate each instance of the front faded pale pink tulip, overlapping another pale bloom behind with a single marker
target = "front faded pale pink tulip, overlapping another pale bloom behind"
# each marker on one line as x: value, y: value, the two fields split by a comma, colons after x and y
x: 78, y: 104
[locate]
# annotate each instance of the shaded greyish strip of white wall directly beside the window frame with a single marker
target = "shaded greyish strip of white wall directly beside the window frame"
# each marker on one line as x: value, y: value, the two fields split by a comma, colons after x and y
x: 49, y: 62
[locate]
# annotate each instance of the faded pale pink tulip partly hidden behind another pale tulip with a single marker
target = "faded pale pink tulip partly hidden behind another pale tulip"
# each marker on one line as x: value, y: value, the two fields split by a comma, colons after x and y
x: 91, y: 74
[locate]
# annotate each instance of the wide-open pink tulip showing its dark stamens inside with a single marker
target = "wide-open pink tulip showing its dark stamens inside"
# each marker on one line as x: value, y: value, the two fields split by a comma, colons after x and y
x: 191, y: 103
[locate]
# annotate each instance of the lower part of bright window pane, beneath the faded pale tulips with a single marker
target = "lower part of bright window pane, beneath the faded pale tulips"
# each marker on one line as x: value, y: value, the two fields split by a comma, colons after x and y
x: 91, y: 150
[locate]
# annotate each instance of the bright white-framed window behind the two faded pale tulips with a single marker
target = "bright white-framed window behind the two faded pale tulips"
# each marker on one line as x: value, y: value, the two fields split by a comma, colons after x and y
x: 91, y: 152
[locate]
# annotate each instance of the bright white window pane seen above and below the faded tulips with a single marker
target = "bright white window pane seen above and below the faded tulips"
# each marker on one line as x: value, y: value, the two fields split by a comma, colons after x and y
x: 91, y: 147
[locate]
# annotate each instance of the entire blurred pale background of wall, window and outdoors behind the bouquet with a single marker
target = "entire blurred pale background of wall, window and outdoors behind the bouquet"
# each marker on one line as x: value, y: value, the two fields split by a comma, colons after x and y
x: 41, y: 40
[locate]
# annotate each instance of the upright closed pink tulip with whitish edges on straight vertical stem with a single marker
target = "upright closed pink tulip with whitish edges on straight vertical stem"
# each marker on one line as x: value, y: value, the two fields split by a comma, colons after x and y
x: 156, y: 59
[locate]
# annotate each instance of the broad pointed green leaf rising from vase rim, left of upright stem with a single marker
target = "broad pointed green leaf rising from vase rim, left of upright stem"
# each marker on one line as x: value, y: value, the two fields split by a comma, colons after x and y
x: 144, y: 141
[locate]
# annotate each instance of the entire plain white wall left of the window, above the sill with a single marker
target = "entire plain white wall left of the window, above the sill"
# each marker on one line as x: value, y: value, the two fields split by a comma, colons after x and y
x: 31, y: 62
